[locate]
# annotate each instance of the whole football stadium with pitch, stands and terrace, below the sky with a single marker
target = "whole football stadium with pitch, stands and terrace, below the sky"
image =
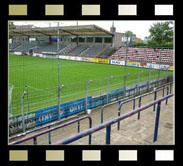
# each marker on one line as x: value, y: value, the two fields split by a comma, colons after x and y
x: 70, y: 84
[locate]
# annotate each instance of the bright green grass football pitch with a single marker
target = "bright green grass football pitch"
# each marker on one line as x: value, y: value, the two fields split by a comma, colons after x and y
x: 40, y: 76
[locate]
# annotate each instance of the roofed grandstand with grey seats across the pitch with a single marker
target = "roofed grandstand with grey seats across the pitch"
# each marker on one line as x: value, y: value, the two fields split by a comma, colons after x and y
x: 93, y: 41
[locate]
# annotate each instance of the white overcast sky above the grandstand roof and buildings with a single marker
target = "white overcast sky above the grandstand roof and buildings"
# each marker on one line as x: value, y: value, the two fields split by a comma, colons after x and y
x: 140, y: 28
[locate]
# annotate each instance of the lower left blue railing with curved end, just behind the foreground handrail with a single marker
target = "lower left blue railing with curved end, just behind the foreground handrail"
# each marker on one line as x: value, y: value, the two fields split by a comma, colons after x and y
x: 34, y: 136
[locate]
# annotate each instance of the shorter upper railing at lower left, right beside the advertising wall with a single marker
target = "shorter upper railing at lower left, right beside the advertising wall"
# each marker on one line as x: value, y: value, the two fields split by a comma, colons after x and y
x: 43, y: 127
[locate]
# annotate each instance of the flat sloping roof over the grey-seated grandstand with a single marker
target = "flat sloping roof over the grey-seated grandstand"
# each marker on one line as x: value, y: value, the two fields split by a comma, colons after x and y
x: 81, y: 30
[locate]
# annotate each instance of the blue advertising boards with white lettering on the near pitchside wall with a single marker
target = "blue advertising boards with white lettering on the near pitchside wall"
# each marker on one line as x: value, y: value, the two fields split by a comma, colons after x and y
x: 50, y: 114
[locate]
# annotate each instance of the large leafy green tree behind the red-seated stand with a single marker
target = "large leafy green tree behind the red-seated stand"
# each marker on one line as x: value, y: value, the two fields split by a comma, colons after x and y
x: 161, y: 34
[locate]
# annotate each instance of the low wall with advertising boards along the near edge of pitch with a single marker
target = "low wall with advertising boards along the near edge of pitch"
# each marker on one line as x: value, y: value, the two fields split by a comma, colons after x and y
x: 49, y: 114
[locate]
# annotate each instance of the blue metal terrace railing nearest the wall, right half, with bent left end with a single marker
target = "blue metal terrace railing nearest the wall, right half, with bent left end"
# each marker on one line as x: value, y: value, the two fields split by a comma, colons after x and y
x: 130, y: 98
